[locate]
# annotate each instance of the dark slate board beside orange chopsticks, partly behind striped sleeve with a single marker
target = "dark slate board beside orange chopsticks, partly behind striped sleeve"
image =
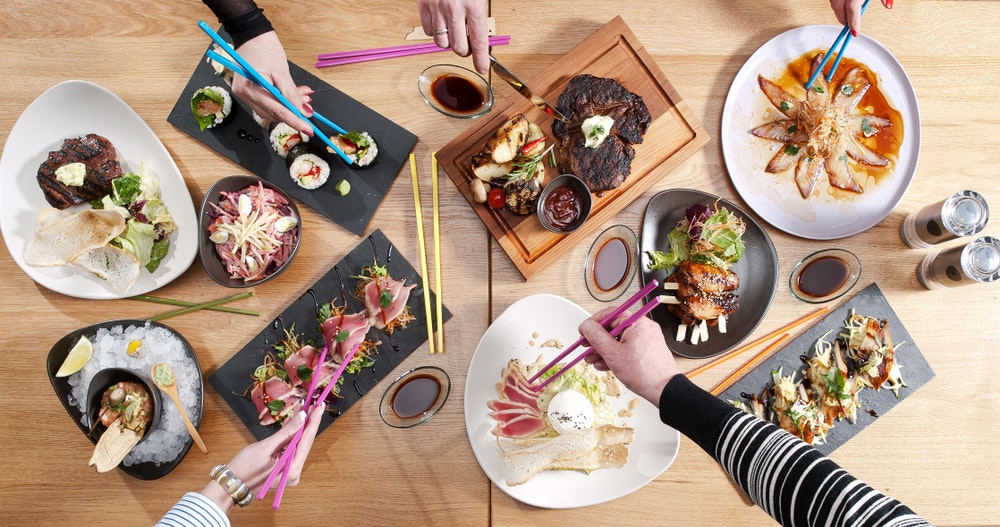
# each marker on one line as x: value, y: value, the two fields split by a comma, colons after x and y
x: 870, y: 302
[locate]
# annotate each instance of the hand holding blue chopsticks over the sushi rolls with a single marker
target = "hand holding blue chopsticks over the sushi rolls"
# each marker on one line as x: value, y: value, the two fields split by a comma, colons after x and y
x: 267, y: 56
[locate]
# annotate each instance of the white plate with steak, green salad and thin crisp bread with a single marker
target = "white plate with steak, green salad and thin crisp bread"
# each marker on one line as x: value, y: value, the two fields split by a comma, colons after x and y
x: 73, y: 109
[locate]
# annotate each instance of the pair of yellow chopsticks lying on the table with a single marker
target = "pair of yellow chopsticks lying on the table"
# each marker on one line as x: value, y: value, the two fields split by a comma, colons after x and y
x: 423, y: 253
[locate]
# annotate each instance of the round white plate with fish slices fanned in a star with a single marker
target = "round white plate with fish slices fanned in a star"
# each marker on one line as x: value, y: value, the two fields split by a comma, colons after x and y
x: 819, y: 217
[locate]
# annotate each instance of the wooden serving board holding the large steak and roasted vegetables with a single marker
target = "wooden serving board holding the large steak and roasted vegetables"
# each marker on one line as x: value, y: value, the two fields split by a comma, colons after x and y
x: 674, y: 135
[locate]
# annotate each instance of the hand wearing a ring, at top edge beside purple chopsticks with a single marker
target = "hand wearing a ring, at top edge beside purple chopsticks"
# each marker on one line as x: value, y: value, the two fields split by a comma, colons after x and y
x: 460, y: 25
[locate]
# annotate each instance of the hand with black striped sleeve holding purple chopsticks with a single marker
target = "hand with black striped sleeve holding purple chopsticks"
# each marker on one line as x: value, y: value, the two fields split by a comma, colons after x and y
x: 639, y: 357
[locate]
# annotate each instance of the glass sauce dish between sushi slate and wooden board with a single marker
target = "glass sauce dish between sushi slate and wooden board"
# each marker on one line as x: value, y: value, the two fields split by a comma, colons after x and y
x: 455, y: 91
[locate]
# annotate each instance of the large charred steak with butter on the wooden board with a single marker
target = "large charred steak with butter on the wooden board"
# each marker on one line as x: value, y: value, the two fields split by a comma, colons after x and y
x: 607, y: 166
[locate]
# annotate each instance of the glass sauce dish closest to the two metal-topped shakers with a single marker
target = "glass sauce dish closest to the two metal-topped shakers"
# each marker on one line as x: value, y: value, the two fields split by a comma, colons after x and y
x: 824, y: 275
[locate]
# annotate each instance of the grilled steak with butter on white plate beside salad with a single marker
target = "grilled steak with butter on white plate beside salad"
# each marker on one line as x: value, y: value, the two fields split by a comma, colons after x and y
x: 102, y: 166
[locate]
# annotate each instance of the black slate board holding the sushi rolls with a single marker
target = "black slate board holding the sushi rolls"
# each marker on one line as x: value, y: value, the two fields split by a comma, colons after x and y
x: 368, y: 186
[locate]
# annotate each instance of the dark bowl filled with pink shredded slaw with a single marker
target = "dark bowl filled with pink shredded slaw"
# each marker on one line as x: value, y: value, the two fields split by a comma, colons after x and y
x: 206, y: 247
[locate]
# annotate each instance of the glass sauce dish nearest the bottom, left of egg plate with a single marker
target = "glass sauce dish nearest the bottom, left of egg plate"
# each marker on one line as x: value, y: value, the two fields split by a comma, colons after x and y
x: 414, y: 397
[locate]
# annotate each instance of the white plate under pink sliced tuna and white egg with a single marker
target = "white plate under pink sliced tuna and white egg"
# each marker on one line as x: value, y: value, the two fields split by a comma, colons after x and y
x: 510, y: 337
